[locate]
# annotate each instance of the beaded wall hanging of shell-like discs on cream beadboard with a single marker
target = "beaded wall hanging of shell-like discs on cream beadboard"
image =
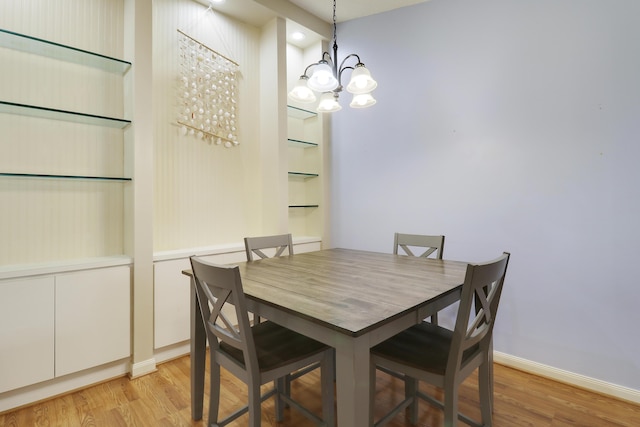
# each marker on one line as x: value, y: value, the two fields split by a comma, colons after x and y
x: 207, y: 93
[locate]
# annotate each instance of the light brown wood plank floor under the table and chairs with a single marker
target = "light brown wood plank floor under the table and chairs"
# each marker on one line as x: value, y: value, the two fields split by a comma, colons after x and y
x: 163, y: 399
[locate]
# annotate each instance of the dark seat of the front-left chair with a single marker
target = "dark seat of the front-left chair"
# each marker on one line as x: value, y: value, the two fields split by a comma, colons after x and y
x: 276, y: 346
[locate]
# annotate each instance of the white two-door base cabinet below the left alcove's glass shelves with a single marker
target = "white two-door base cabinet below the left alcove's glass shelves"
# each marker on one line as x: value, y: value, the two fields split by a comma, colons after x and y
x: 58, y: 324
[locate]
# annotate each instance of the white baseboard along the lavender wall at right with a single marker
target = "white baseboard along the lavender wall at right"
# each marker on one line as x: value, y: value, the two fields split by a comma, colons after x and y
x: 567, y: 377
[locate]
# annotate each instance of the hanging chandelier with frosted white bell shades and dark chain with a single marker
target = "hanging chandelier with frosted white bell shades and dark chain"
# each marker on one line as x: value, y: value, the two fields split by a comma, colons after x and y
x: 326, y: 78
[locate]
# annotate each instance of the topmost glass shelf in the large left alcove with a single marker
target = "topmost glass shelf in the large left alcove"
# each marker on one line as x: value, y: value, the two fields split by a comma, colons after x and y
x: 49, y: 49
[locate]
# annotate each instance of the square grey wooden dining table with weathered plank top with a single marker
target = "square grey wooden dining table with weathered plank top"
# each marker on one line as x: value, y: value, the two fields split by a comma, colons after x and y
x: 348, y: 299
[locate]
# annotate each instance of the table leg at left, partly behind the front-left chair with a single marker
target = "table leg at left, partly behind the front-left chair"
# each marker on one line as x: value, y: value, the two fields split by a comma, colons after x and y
x: 198, y: 348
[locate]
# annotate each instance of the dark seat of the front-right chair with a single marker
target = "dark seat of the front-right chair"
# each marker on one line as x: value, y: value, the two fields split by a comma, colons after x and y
x: 424, y: 346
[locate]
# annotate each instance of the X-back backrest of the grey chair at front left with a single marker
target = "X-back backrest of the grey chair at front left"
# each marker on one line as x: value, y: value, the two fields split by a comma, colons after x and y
x: 221, y: 286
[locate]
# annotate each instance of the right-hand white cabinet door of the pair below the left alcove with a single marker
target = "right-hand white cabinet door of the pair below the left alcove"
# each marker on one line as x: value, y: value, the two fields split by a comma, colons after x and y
x: 92, y: 315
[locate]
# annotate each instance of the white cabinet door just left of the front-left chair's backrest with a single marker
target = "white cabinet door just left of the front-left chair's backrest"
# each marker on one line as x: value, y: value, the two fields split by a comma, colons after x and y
x: 171, y: 302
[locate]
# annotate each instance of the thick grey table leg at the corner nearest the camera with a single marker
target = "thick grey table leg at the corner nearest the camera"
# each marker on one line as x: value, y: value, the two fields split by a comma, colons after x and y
x: 352, y: 381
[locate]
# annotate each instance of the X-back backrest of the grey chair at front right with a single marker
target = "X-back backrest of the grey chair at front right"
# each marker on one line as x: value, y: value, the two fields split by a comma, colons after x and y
x: 478, y: 307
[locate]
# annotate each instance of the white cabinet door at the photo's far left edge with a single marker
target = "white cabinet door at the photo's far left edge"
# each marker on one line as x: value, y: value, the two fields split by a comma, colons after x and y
x: 26, y: 332
